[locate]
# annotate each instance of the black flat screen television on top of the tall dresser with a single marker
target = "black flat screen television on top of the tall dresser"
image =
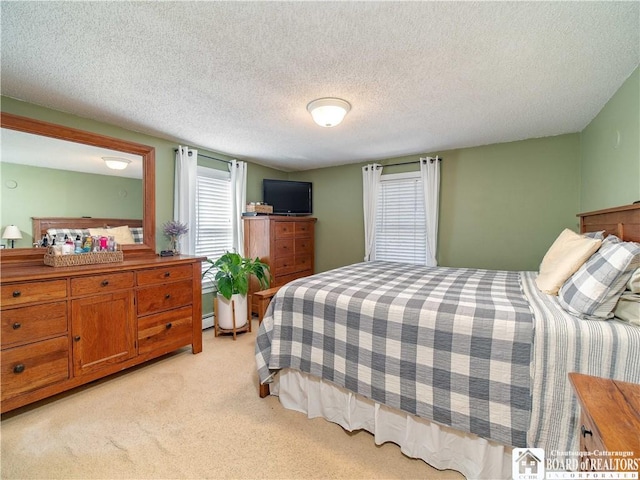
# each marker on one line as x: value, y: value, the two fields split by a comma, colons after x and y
x: 287, y: 197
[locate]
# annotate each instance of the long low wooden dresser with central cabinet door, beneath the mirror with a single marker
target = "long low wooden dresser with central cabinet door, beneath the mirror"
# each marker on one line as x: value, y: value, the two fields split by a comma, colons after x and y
x: 64, y: 327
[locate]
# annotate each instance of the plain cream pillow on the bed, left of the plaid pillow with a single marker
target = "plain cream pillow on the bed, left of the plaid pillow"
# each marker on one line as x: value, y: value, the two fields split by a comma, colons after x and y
x: 565, y: 256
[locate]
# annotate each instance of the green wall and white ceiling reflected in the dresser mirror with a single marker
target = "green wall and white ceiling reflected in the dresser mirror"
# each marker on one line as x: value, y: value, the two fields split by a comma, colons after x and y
x: 48, y: 177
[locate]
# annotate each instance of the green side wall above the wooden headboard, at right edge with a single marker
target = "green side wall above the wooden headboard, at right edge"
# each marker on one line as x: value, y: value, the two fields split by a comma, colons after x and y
x: 610, y: 151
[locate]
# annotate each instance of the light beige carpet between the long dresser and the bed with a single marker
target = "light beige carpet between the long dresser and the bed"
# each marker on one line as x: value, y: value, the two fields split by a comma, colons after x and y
x: 190, y: 416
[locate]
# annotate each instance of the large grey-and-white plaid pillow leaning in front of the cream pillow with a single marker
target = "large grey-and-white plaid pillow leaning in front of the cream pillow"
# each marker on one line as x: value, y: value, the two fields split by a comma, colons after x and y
x: 592, y: 292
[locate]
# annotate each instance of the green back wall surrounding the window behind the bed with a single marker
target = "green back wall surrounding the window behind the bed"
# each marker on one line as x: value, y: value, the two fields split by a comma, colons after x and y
x: 501, y: 206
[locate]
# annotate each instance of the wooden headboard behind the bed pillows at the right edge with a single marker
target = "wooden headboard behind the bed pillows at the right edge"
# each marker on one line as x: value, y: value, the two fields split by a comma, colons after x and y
x: 623, y: 222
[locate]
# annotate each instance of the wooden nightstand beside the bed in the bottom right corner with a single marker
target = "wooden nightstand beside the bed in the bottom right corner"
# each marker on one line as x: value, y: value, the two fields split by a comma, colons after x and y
x: 609, y: 419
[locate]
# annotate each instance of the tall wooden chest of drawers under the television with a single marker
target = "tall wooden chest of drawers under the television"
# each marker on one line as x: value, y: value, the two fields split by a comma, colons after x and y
x: 285, y: 243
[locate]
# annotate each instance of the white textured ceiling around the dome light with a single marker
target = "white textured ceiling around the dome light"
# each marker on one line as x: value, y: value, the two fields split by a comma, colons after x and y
x: 235, y: 77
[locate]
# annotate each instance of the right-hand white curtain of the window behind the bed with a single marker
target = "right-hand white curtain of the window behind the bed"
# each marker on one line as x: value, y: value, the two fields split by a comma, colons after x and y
x: 430, y: 174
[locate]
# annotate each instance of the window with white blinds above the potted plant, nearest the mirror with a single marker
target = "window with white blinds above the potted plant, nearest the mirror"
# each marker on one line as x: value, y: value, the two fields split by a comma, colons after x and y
x: 213, y: 213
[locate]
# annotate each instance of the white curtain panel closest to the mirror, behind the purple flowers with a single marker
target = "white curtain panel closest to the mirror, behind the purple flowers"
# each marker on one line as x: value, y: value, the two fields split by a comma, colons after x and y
x: 184, y: 197
